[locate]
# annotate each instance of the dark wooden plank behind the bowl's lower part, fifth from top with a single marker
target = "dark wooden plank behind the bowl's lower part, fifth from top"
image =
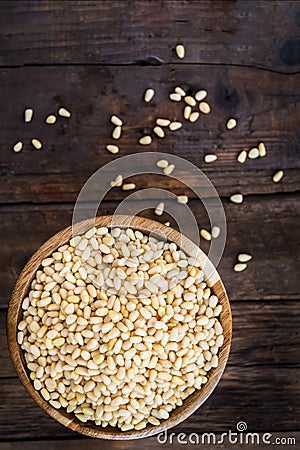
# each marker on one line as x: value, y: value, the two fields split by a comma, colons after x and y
x: 265, y: 398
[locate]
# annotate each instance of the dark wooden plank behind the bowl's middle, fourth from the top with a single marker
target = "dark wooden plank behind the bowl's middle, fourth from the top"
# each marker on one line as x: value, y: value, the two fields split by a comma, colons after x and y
x: 260, y: 336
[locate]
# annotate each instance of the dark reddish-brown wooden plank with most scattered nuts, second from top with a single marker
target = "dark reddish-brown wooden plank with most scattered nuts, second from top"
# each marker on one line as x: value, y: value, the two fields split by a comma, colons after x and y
x: 266, y: 111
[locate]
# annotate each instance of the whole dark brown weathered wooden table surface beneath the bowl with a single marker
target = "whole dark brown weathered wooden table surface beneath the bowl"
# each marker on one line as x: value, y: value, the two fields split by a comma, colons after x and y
x: 97, y: 58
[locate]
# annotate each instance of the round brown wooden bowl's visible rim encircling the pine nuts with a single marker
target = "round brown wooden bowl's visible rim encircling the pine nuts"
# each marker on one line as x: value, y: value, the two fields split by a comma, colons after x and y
x: 22, y: 287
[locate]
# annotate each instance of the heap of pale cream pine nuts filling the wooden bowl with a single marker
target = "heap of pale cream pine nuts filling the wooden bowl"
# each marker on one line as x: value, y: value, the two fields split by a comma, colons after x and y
x: 119, y: 328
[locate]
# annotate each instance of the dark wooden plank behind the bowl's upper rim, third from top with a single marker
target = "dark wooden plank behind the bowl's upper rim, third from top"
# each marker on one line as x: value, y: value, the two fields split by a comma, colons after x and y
x: 262, y: 228
